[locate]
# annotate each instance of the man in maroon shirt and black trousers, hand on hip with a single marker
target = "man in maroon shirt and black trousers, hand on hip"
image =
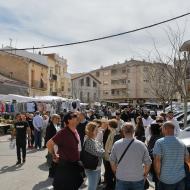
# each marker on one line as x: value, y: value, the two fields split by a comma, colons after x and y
x: 68, y: 173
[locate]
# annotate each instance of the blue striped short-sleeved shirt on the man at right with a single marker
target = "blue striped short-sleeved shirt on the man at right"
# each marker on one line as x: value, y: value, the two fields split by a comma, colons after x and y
x: 172, y: 152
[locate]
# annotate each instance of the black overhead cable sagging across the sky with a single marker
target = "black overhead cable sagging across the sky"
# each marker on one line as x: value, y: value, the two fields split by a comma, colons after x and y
x: 101, y: 38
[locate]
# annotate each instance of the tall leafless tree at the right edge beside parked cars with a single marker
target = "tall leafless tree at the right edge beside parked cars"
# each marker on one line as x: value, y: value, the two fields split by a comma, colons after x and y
x: 177, y: 65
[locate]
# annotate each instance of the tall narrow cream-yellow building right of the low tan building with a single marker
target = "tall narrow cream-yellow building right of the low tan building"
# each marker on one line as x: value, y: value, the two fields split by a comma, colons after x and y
x: 59, y: 78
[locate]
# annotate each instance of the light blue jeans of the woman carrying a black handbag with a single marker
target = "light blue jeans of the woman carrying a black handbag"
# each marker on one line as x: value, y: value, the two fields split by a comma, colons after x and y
x: 93, y: 177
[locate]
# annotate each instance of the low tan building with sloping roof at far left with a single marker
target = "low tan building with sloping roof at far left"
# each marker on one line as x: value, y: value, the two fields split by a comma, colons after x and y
x: 28, y: 68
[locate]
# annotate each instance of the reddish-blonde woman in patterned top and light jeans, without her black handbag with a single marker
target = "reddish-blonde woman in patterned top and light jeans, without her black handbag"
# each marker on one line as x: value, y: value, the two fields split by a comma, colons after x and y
x: 92, y: 146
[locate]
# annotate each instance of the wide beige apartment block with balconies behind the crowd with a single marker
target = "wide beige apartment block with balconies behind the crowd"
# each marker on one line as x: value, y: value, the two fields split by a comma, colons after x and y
x: 124, y: 82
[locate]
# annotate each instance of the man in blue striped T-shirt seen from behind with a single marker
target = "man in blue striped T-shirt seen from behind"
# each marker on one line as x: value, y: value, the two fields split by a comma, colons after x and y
x: 169, y: 156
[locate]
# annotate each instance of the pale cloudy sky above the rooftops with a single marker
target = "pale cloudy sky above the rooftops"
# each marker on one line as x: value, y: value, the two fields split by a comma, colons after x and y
x: 38, y: 23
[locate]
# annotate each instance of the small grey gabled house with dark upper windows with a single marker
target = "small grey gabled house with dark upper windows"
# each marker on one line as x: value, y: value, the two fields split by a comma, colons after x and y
x: 86, y: 88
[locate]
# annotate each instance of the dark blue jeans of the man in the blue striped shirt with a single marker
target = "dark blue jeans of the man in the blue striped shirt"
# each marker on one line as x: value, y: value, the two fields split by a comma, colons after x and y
x: 177, y: 186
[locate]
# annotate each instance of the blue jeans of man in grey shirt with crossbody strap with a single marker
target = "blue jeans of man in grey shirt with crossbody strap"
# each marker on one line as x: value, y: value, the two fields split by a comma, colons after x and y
x: 129, y: 185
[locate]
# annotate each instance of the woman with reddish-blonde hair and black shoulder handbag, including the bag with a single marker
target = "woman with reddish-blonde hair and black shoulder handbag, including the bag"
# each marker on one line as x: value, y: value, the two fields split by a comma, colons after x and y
x: 94, y: 149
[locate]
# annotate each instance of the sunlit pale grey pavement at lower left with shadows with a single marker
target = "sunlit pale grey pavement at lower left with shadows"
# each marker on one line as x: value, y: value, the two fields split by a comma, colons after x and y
x: 32, y: 175
